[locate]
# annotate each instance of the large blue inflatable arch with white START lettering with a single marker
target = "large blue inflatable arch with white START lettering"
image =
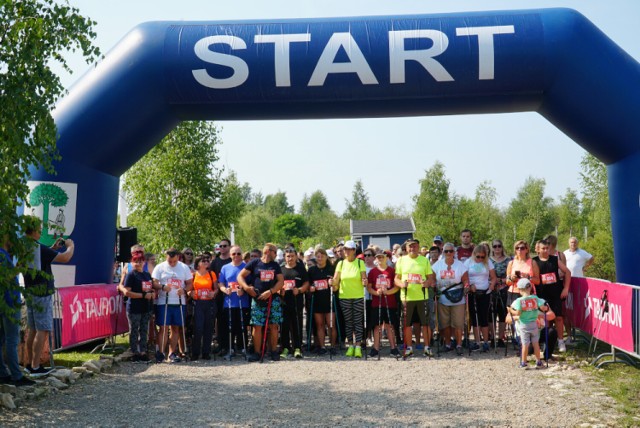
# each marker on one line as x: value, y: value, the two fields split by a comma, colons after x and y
x: 553, y: 61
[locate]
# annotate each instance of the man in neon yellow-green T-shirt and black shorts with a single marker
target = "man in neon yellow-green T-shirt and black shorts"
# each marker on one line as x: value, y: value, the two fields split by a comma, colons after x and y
x: 414, y: 277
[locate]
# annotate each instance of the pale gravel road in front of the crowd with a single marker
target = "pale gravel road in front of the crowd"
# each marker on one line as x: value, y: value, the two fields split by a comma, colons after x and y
x: 480, y: 390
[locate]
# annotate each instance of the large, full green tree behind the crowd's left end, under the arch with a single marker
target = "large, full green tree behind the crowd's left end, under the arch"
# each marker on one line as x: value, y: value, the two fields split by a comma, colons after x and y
x: 177, y: 194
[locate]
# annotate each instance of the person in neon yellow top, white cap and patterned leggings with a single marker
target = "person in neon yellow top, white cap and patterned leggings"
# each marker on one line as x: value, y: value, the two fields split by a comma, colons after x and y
x: 351, y: 278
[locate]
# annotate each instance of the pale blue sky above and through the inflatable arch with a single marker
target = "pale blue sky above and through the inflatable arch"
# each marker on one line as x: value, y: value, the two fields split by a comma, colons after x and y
x: 473, y: 148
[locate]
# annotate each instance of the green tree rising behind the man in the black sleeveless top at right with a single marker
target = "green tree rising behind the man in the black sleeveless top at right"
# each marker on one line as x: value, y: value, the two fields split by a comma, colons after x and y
x: 531, y: 212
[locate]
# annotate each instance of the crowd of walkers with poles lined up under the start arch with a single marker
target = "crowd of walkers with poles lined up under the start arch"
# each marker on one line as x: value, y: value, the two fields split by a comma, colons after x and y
x: 284, y: 303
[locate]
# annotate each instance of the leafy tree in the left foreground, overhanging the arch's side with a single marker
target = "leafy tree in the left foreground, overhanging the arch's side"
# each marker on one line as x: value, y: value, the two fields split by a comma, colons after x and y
x: 34, y: 36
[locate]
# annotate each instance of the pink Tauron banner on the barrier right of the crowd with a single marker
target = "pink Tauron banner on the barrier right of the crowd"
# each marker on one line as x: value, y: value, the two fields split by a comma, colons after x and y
x: 585, y: 307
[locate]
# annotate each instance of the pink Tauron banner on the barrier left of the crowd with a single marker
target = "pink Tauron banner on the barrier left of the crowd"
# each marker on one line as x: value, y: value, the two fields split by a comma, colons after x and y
x: 89, y: 312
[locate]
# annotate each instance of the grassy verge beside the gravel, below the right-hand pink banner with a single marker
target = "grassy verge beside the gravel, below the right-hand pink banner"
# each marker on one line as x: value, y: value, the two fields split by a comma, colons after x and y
x: 622, y: 382
